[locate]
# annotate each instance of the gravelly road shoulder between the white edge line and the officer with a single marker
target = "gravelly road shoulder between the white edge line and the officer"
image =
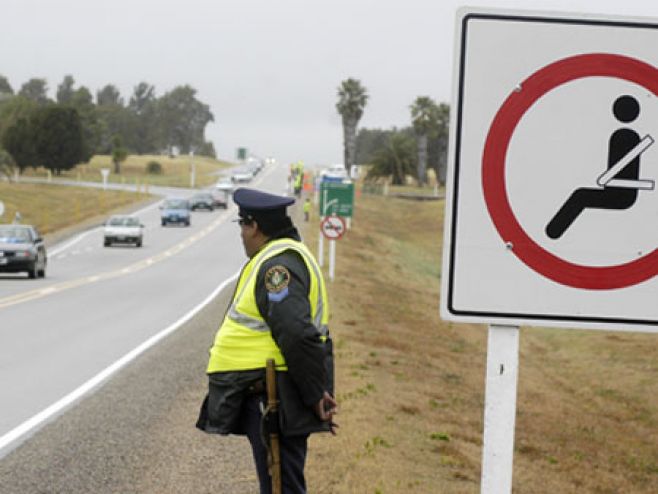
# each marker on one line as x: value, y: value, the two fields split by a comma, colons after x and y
x: 136, y: 433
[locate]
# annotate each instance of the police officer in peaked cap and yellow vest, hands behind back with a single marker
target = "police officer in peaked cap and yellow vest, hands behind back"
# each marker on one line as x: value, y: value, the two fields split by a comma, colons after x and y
x: 279, y: 310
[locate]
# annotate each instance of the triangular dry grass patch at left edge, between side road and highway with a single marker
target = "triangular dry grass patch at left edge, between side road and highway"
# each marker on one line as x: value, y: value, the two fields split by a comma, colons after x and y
x: 54, y: 207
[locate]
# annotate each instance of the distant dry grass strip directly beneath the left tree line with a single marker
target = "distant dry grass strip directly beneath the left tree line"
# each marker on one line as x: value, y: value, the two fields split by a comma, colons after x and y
x: 175, y: 171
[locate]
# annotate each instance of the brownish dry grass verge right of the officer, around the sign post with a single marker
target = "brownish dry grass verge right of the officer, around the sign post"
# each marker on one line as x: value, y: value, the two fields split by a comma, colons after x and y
x: 411, y: 386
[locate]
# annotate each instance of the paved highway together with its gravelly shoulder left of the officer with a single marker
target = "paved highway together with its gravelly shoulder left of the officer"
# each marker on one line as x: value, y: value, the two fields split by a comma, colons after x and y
x: 67, y: 334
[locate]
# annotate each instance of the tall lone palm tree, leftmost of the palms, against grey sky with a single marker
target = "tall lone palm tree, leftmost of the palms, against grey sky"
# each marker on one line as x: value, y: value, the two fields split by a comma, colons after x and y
x: 352, y: 99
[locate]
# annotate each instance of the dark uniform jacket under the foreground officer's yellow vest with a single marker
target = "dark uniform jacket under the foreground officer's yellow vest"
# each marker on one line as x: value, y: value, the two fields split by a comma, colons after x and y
x: 308, y: 358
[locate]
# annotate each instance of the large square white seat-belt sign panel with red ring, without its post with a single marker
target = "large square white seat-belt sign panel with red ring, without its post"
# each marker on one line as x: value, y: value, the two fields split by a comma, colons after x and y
x: 552, y: 204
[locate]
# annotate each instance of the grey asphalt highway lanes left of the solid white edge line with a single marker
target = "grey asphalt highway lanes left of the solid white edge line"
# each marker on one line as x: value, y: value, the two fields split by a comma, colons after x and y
x: 98, y: 303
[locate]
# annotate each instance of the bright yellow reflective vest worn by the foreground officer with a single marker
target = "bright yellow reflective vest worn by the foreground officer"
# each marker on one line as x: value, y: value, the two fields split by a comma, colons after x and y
x: 244, y: 340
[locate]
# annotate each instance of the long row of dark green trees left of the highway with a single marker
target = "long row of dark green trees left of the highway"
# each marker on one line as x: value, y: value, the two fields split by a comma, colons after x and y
x: 58, y: 134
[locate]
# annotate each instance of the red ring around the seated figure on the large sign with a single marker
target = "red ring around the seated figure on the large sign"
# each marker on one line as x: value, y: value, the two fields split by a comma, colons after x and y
x: 493, y: 171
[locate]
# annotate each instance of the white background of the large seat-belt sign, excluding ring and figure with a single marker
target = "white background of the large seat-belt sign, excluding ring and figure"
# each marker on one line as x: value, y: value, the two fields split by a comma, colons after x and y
x: 560, y: 144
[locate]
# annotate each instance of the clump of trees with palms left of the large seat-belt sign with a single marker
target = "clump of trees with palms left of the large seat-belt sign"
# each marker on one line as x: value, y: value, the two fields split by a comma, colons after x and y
x: 396, y: 152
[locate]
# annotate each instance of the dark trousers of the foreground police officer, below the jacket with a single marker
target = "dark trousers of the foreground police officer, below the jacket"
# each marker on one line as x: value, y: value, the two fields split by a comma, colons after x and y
x: 293, y: 450
